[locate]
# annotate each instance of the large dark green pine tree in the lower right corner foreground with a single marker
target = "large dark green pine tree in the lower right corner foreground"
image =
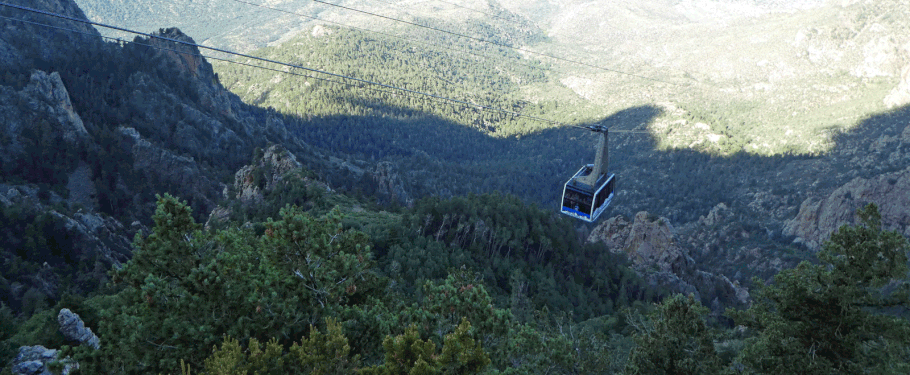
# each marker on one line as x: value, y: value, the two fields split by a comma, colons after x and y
x: 845, y: 315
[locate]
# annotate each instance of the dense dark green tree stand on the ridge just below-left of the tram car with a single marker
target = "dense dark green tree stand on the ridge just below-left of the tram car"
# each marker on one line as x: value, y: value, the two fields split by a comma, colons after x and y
x: 521, y: 252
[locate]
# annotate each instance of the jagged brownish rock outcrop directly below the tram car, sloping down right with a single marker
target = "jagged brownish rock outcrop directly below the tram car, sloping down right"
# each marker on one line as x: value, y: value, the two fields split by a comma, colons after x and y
x: 651, y: 244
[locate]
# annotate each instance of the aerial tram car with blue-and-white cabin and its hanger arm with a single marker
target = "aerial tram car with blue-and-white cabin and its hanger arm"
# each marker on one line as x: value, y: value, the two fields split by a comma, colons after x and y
x: 588, y: 193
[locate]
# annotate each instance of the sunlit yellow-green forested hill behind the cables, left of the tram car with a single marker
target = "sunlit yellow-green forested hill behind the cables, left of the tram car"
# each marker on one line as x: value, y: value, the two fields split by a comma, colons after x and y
x: 396, y: 62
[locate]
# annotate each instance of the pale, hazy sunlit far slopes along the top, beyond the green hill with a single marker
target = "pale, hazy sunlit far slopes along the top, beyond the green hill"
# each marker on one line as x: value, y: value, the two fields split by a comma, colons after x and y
x: 753, y: 76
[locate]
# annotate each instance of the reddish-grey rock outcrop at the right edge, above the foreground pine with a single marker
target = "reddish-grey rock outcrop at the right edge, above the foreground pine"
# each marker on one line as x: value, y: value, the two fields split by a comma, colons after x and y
x: 819, y: 217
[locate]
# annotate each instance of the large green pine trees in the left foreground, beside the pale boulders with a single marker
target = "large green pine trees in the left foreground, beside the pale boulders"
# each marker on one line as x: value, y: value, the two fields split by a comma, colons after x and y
x: 186, y: 288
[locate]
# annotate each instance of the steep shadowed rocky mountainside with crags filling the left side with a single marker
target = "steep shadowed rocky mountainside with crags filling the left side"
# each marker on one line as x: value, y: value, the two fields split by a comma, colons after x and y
x: 83, y: 155
